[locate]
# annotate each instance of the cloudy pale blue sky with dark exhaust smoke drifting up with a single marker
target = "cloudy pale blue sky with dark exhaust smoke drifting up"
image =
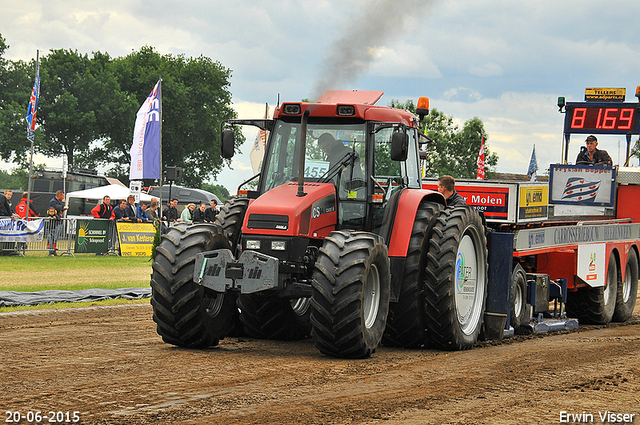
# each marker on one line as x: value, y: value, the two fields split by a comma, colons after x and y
x: 505, y: 62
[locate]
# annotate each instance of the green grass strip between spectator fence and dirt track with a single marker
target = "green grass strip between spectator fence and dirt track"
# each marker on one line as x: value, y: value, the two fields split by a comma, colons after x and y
x: 84, y: 271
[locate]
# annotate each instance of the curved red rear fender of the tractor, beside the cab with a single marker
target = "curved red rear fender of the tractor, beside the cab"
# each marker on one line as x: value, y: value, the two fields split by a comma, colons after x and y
x: 404, y: 217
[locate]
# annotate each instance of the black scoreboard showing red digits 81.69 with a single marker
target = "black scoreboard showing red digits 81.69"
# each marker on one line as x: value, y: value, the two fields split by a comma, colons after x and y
x: 611, y: 118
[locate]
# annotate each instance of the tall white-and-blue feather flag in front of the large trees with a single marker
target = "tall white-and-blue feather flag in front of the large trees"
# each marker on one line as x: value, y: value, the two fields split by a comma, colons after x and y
x: 145, y: 151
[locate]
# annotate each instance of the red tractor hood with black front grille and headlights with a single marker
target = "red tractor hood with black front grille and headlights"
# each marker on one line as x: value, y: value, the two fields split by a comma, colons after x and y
x: 280, y: 212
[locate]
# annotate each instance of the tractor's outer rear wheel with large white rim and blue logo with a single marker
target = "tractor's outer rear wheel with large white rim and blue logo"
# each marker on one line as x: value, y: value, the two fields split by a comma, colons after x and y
x: 456, y: 285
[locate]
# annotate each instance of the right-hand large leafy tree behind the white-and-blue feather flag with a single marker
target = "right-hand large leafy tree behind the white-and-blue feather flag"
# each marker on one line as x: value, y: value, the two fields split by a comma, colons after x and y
x: 195, y: 99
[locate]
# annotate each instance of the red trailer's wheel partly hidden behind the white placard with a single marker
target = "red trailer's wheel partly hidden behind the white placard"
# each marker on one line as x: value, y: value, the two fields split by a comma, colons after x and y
x: 596, y: 306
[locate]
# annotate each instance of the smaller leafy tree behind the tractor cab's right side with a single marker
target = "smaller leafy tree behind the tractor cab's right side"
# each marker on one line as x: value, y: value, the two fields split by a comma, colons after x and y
x: 453, y: 151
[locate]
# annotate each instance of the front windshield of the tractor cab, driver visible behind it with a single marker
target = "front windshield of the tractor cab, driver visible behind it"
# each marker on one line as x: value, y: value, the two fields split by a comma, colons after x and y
x: 326, y: 146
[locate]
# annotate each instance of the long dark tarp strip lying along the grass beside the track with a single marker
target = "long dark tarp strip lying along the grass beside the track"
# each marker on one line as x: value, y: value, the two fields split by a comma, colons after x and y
x: 14, y: 298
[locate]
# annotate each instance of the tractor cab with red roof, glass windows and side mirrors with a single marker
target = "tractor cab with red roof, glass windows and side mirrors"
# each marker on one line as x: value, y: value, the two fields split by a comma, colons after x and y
x: 368, y: 153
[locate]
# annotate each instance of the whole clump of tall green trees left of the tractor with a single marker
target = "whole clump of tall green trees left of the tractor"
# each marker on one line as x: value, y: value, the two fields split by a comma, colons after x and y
x: 88, y: 106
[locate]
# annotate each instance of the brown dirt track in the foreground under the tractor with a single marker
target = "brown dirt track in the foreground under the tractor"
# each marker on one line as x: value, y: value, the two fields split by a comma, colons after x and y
x: 111, y: 366
